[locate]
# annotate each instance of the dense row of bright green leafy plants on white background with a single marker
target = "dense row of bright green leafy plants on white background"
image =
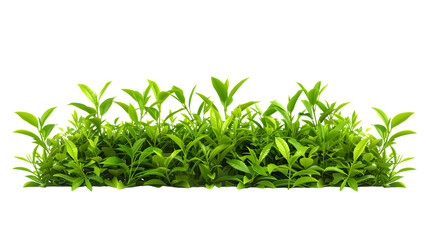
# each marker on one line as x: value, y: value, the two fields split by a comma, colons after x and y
x: 245, y: 147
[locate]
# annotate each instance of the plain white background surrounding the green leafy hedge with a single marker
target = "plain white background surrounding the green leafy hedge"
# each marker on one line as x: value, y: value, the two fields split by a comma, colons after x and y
x: 372, y: 53
